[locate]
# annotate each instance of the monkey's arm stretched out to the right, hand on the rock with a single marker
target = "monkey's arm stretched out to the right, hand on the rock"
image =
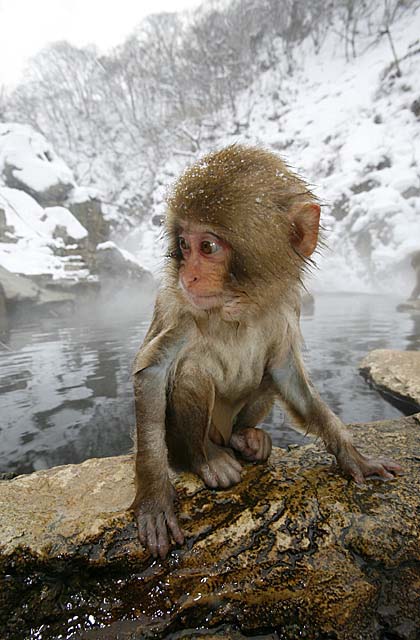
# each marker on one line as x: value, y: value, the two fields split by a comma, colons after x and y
x: 312, y: 414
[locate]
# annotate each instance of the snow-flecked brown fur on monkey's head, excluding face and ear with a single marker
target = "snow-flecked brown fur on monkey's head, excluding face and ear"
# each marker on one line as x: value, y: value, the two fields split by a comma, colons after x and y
x: 245, y: 195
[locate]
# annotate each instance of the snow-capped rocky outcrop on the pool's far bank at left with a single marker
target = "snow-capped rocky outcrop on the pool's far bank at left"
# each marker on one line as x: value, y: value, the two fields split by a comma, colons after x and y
x: 39, y: 233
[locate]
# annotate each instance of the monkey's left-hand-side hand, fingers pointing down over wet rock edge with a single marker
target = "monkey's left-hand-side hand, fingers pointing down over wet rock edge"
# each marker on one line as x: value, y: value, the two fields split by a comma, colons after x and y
x: 156, y: 521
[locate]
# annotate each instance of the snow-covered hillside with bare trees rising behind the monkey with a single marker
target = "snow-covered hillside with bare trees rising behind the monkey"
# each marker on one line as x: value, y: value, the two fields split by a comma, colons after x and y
x: 320, y: 87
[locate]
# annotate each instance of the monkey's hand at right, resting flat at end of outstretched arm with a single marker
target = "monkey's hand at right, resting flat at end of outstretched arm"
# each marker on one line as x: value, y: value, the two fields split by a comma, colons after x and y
x: 359, y: 467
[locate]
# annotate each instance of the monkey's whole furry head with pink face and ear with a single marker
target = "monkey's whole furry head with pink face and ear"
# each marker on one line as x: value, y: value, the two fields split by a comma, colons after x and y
x: 240, y: 225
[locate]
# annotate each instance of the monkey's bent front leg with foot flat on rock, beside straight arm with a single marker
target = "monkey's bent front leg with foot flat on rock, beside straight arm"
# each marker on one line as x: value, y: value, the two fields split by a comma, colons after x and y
x: 189, y: 420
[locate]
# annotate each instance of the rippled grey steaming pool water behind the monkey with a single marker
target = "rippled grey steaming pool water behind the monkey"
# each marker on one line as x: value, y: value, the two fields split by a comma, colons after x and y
x: 65, y: 388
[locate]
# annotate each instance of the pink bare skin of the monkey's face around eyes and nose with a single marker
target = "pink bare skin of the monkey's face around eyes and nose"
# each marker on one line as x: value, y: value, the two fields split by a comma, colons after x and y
x: 204, y: 265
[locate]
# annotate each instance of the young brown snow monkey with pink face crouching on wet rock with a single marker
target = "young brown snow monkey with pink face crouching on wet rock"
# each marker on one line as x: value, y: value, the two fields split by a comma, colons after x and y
x: 224, y: 342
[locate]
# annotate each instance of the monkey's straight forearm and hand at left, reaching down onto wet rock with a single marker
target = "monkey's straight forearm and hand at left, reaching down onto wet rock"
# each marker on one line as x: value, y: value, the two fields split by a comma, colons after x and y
x: 153, y: 504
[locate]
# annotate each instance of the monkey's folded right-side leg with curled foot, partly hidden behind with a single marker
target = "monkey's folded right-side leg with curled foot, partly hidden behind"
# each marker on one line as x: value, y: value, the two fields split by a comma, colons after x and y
x: 253, y: 444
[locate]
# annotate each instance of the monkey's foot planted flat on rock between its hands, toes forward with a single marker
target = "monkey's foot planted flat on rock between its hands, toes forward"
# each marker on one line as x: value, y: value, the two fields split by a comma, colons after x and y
x: 221, y: 469
